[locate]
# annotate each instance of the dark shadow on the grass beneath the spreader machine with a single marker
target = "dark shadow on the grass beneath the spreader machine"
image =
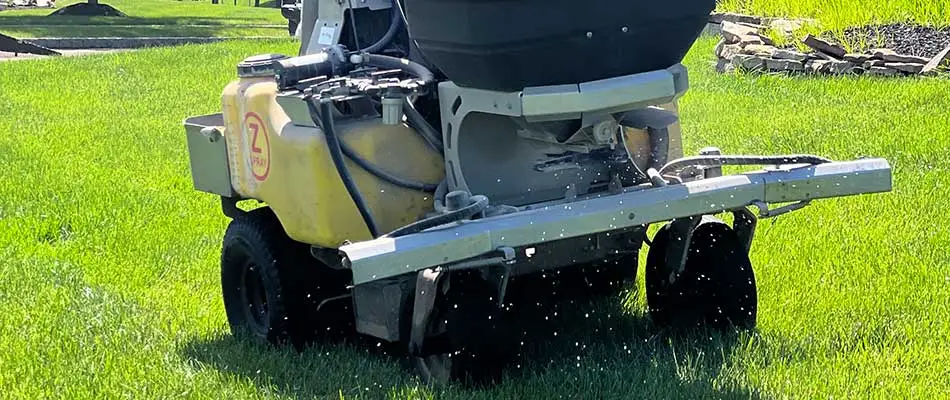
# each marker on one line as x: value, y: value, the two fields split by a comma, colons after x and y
x: 590, y: 349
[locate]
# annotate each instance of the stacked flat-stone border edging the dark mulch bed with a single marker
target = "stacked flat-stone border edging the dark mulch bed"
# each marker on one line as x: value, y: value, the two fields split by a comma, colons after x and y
x: 744, y: 46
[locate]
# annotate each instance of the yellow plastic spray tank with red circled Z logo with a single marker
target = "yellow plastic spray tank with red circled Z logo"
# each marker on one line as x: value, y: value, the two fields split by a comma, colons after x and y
x: 288, y: 166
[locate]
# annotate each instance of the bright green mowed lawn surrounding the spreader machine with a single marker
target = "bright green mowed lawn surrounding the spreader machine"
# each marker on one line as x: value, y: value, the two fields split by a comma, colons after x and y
x: 109, y: 286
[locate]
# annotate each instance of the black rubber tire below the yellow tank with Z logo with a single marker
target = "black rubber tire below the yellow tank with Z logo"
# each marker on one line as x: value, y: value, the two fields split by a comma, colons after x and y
x: 271, y: 286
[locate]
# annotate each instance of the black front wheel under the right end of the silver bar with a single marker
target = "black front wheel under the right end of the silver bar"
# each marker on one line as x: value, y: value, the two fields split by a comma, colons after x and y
x: 715, y: 288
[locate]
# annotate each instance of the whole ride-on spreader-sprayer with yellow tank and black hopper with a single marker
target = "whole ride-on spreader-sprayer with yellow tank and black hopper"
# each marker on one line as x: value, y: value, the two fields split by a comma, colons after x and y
x: 419, y: 158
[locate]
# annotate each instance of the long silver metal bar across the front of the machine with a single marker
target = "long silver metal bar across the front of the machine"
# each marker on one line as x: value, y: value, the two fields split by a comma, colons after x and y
x: 388, y: 257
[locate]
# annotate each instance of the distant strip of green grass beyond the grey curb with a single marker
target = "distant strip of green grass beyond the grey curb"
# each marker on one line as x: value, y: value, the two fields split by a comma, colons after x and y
x: 149, y: 18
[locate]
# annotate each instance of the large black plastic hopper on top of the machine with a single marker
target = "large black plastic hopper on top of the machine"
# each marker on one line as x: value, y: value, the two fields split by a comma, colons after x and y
x: 512, y: 44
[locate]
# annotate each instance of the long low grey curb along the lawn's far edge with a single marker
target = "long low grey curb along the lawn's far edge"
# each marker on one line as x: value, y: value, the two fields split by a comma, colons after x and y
x: 133, y: 43
